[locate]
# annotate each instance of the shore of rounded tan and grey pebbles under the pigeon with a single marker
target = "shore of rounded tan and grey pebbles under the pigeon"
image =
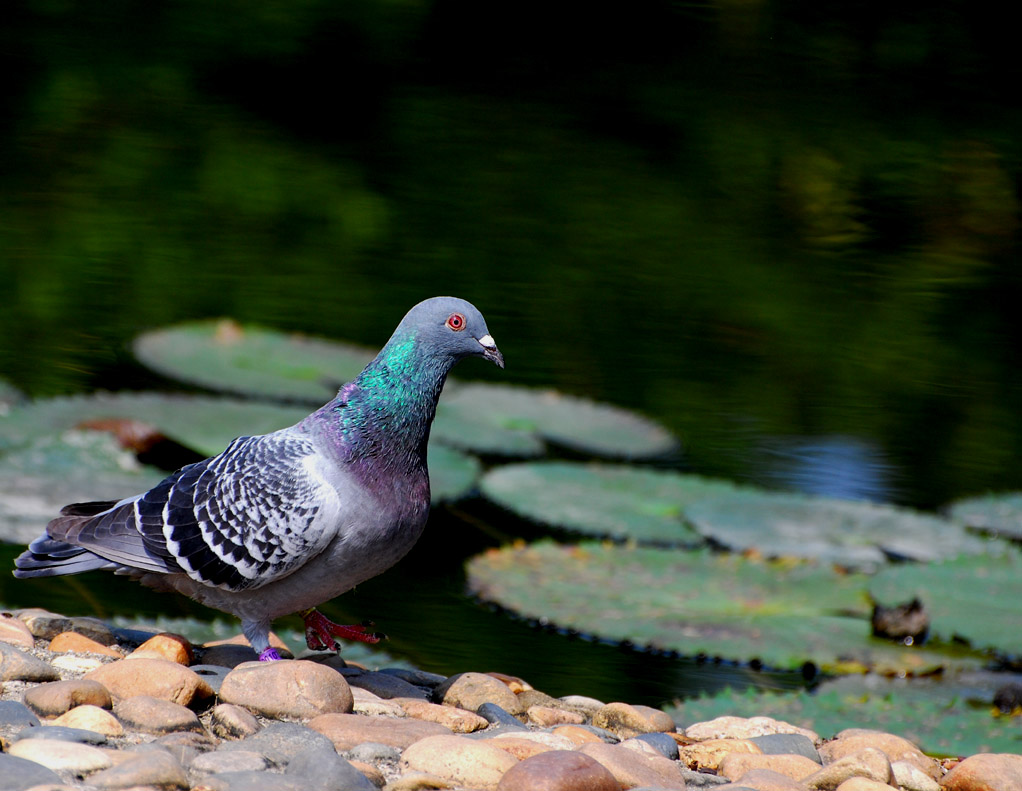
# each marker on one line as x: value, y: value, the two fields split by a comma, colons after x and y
x: 86, y: 706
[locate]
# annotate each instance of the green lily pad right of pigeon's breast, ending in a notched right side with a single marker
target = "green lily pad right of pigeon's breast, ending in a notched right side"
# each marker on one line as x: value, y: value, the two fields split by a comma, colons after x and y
x: 602, y: 500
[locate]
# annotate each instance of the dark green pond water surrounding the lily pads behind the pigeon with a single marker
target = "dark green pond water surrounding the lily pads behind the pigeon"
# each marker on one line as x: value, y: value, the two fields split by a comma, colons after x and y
x: 789, y: 232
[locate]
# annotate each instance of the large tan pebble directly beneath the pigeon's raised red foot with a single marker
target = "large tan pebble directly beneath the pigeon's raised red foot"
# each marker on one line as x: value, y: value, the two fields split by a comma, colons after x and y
x: 292, y: 690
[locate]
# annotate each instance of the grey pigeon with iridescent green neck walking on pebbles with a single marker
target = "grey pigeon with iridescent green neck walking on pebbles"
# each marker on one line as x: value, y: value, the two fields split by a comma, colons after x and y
x: 280, y: 524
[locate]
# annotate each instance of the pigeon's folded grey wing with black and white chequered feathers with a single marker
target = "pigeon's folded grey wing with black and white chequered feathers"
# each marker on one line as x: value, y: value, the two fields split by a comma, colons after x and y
x: 240, y: 521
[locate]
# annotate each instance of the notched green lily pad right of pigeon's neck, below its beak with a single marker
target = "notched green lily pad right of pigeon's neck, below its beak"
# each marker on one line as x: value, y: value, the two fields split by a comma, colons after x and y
x: 515, y: 422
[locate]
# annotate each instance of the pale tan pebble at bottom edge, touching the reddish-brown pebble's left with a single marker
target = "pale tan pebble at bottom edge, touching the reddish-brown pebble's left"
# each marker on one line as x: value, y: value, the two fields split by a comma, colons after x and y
x: 466, y: 762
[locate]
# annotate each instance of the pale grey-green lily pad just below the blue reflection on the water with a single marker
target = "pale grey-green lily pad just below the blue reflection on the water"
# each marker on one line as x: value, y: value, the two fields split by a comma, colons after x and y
x: 852, y: 534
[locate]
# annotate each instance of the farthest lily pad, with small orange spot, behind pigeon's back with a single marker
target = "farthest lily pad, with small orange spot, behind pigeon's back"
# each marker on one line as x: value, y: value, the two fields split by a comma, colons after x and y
x: 223, y: 356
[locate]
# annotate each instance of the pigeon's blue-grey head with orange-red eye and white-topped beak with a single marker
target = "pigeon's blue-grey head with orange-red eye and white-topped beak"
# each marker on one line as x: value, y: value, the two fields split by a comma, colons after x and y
x: 451, y: 329
